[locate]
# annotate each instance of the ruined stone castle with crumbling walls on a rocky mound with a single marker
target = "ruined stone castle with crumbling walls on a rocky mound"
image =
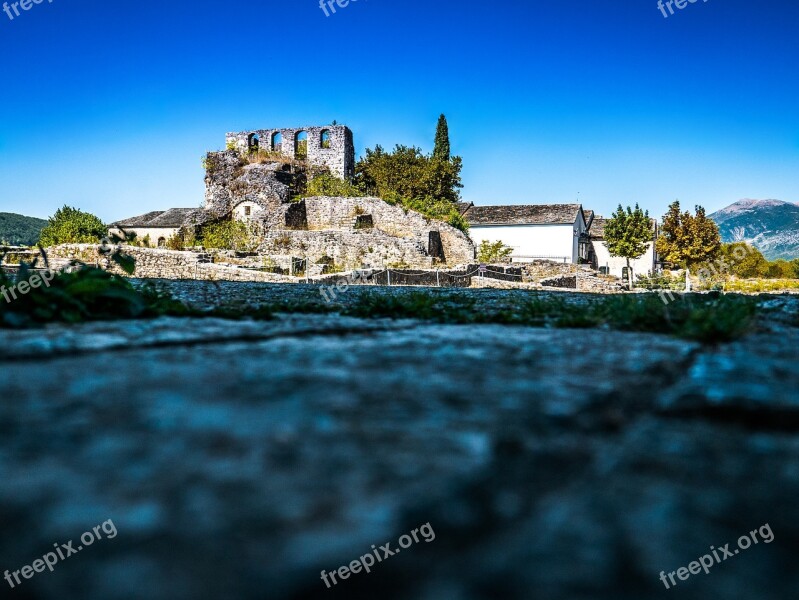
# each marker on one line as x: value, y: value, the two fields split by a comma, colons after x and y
x: 258, y: 179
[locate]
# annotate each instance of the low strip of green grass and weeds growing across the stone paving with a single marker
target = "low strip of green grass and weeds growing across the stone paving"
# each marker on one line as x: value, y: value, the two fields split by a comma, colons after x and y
x: 91, y: 294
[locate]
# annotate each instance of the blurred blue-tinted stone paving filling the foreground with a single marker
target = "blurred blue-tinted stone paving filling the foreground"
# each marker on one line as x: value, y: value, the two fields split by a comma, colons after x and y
x: 239, y: 459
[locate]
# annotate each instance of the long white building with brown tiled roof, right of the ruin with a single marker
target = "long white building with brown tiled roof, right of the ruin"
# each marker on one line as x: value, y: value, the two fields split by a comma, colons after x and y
x: 535, y: 232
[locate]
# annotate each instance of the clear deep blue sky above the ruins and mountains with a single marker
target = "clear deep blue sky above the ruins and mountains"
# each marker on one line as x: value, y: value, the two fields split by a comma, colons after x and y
x: 109, y: 106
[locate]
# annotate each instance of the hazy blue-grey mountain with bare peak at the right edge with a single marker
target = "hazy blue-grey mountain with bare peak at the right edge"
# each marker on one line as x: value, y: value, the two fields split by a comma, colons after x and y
x: 771, y: 226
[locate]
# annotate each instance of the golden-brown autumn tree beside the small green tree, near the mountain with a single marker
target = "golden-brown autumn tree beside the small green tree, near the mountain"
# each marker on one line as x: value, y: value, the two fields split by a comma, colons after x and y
x: 687, y: 240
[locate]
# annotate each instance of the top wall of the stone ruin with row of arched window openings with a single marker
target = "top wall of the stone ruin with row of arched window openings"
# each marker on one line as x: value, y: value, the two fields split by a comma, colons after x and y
x: 329, y: 146
